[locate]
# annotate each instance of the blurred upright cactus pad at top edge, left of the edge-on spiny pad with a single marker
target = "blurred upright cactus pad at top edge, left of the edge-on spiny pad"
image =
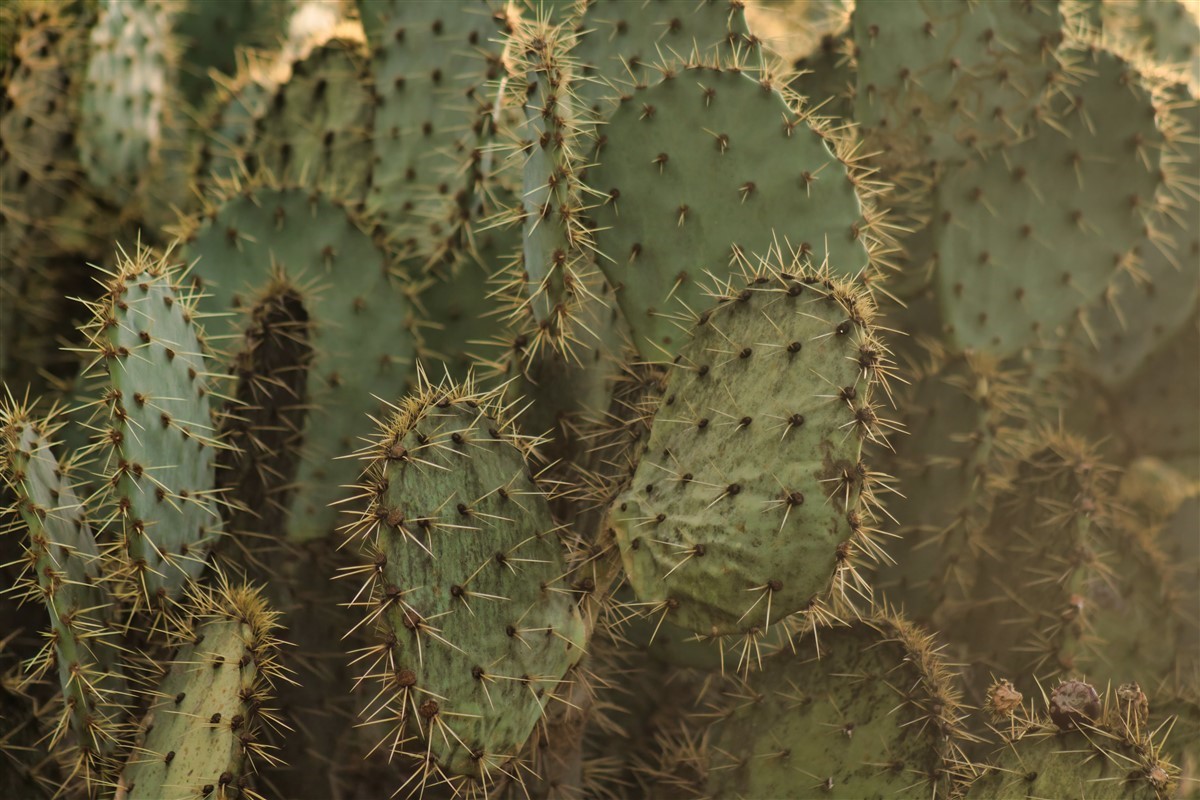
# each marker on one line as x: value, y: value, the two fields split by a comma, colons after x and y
x: 430, y: 63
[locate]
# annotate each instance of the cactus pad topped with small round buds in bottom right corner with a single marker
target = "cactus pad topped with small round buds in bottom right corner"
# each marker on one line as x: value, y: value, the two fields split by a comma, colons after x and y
x: 1099, y: 753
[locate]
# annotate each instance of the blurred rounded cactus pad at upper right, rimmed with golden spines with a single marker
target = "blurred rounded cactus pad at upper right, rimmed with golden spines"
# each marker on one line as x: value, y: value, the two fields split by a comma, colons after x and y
x: 1085, y: 187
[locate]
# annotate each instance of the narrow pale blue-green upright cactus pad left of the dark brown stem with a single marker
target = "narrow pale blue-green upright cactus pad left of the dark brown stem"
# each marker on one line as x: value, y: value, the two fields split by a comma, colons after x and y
x: 154, y: 425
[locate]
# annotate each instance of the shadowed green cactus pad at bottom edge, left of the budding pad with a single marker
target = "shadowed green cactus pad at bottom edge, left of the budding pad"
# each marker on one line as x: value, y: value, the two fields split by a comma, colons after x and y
x: 861, y: 712
